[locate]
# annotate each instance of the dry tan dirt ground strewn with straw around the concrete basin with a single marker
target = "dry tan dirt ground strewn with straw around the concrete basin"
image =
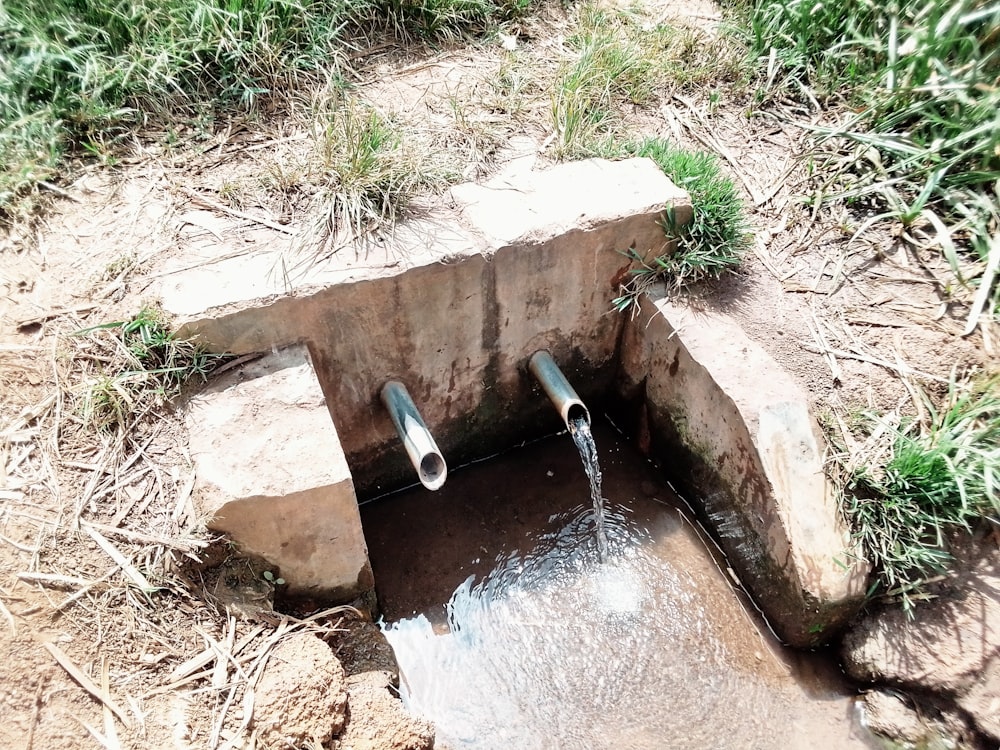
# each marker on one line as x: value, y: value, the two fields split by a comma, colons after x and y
x: 111, y: 637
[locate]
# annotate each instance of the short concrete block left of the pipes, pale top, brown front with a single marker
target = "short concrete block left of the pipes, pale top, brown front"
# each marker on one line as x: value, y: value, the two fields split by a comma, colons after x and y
x: 271, y: 474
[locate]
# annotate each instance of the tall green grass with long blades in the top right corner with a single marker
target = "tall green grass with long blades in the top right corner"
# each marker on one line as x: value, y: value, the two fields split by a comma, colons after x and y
x: 919, y: 79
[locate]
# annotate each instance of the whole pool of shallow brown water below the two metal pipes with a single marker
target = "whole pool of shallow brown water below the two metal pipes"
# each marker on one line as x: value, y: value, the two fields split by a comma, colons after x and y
x: 512, y: 630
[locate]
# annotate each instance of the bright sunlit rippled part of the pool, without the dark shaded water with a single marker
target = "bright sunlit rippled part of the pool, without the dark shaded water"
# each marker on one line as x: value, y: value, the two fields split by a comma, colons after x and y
x: 559, y: 649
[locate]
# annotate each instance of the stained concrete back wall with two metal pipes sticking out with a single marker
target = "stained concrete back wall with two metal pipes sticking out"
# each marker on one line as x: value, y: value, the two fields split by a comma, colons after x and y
x: 521, y: 263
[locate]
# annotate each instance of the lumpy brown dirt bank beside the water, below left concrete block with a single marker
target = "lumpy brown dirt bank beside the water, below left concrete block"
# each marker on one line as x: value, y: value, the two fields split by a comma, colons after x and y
x: 335, y: 687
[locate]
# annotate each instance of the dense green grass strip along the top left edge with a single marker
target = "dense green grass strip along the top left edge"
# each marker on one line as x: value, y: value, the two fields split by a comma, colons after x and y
x: 76, y: 76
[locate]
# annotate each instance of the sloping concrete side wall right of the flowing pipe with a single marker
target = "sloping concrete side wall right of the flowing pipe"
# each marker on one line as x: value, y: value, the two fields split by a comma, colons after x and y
x: 735, y: 428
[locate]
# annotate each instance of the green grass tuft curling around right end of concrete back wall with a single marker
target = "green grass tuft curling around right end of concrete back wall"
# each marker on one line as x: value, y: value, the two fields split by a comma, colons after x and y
x: 712, y: 244
